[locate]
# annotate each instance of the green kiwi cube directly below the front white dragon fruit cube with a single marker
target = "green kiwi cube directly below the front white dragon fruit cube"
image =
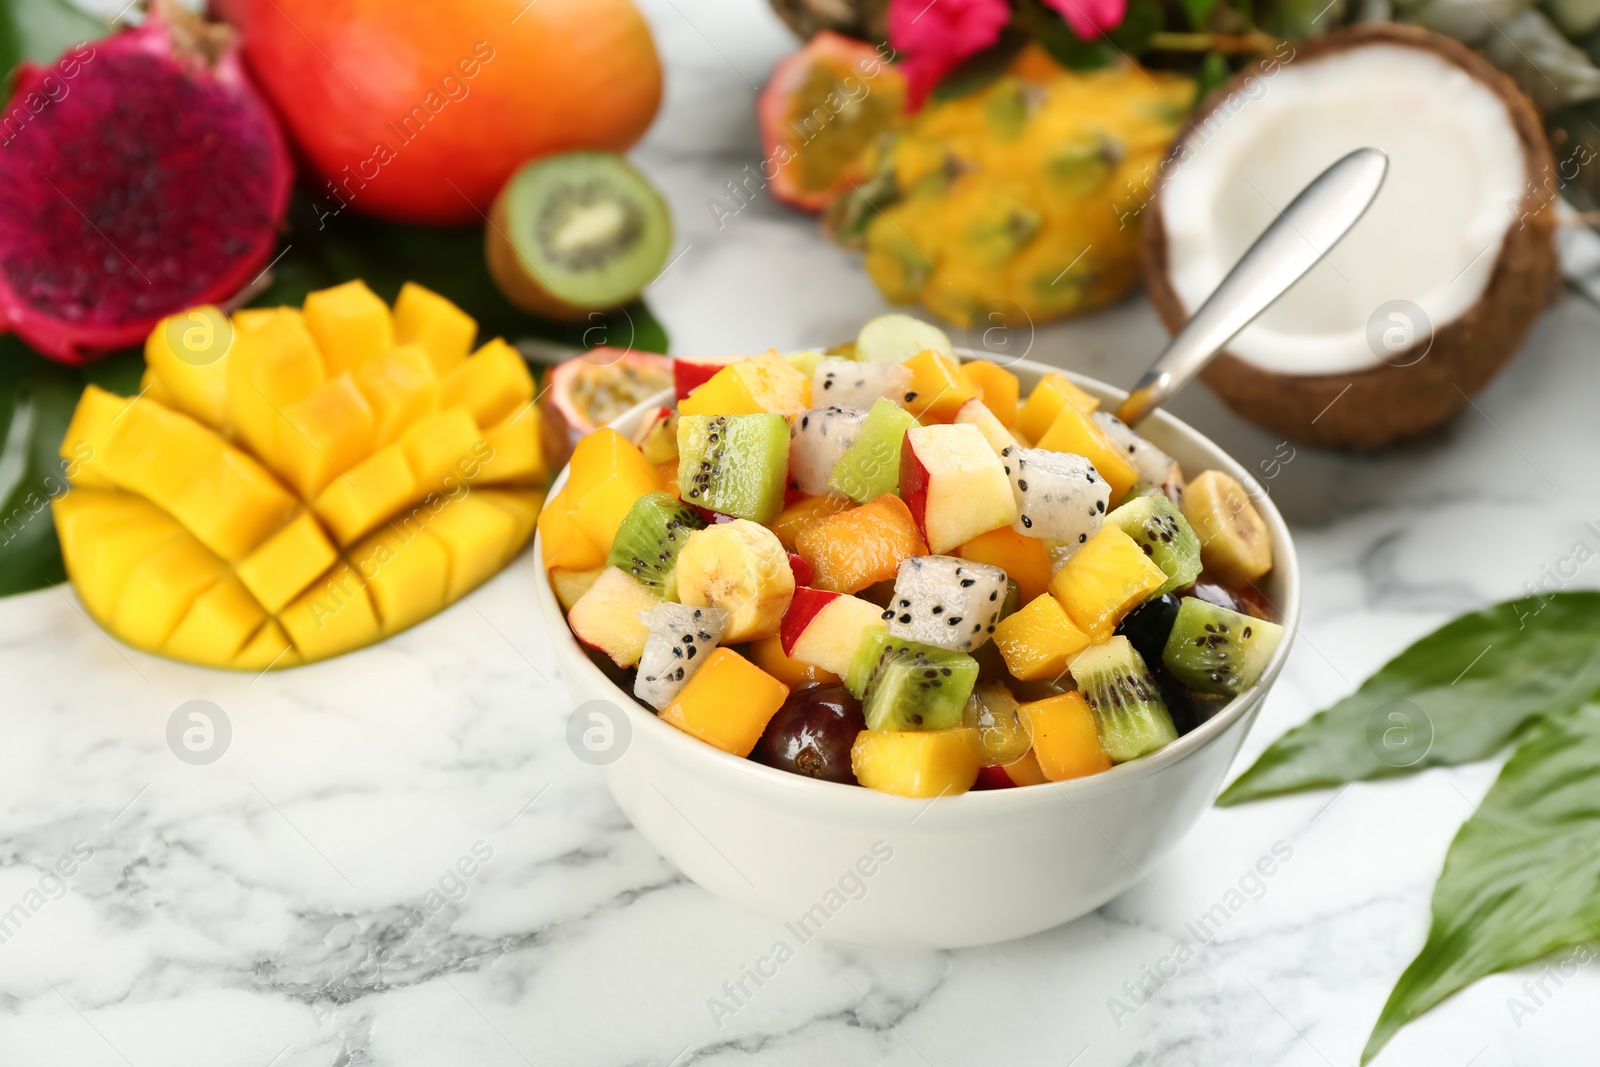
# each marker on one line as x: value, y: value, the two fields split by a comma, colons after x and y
x: 908, y: 685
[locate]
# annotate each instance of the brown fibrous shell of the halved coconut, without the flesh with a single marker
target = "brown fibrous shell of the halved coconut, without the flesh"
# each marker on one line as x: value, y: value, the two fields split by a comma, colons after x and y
x: 1385, y: 404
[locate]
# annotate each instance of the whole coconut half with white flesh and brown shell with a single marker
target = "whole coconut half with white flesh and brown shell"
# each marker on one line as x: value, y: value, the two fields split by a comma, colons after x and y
x: 1428, y: 297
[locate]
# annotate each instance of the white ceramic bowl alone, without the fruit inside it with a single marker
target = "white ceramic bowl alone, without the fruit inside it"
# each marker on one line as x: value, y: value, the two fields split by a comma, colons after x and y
x: 847, y: 863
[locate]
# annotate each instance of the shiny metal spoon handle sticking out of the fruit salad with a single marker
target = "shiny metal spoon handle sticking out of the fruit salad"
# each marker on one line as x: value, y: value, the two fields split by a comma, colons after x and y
x: 1303, y: 234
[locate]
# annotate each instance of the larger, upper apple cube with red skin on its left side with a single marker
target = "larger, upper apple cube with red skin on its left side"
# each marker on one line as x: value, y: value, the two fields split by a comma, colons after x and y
x: 954, y: 486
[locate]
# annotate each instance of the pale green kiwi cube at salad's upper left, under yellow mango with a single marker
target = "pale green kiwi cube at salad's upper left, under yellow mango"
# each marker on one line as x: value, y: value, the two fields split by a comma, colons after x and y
x: 735, y: 465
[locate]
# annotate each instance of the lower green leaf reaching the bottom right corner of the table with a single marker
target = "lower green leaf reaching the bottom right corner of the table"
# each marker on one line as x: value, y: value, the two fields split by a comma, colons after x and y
x: 1522, y: 877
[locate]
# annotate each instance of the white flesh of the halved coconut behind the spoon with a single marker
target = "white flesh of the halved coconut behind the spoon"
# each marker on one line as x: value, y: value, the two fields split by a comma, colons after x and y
x: 1457, y: 172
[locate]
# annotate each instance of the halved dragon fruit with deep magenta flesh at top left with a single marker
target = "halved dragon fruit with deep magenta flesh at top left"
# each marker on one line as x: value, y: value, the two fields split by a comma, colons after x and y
x: 150, y: 178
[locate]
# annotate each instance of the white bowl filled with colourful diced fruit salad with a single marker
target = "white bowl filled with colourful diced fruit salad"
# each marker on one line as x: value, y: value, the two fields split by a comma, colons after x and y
x: 894, y: 644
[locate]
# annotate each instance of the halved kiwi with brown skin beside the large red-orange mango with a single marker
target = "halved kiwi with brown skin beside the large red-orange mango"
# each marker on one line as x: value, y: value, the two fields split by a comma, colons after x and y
x: 577, y: 233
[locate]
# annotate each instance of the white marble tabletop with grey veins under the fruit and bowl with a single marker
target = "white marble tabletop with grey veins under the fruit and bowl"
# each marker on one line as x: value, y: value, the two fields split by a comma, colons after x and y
x: 295, y: 903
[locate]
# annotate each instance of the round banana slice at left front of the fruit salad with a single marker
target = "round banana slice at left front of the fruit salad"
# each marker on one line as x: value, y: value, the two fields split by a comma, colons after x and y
x: 742, y: 569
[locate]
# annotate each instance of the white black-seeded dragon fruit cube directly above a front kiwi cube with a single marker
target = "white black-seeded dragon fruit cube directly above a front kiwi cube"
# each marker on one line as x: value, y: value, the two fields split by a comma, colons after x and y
x: 946, y: 602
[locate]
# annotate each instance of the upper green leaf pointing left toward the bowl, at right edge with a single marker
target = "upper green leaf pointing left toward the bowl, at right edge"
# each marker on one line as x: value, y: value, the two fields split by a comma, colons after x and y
x: 1457, y: 697
